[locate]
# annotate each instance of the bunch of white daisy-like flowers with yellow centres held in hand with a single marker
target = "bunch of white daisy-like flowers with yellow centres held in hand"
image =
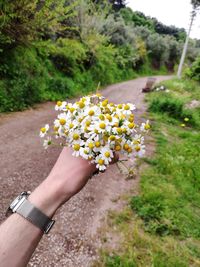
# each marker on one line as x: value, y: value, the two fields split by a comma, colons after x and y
x: 95, y: 129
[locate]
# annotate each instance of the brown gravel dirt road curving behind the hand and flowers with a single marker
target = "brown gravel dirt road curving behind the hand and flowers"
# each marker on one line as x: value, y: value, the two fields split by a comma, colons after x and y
x: 24, y: 164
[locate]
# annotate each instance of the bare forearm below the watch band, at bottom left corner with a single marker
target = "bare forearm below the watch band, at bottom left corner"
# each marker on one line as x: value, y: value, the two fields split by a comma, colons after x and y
x: 18, y: 240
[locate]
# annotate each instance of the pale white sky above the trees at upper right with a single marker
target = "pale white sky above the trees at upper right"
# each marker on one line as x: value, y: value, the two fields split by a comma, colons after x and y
x: 169, y: 12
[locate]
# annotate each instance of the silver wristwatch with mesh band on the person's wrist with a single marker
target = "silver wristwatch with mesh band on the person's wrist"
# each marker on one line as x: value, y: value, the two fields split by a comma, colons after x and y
x: 26, y: 209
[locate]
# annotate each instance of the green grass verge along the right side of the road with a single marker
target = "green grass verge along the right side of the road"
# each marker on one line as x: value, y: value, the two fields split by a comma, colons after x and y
x: 160, y: 226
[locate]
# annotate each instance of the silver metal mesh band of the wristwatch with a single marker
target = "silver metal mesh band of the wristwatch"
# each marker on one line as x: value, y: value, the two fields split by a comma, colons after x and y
x: 35, y: 216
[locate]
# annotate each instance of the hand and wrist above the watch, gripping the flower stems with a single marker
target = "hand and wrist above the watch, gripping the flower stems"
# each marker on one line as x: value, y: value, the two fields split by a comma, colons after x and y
x: 68, y: 177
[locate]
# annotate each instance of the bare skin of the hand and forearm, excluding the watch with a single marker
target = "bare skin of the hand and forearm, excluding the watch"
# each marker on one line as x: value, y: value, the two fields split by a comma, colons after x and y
x: 18, y: 237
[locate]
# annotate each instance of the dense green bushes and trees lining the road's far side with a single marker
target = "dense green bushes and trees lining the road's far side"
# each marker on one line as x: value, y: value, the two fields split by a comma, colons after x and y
x: 50, y: 50
